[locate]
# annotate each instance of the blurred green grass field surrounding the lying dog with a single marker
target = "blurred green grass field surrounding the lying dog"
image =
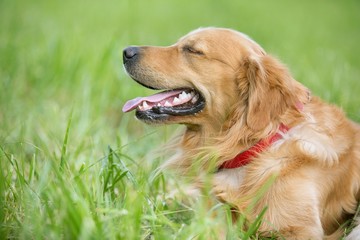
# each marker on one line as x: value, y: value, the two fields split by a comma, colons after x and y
x: 73, y: 166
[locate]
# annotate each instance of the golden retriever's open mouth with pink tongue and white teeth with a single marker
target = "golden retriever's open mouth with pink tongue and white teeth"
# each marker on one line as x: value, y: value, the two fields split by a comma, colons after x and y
x: 161, y: 106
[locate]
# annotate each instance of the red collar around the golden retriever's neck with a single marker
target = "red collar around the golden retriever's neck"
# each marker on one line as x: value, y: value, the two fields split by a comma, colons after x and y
x: 246, y: 156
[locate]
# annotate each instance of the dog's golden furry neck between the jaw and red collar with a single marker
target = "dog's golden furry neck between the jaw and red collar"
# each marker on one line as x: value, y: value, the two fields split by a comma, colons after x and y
x: 207, y: 143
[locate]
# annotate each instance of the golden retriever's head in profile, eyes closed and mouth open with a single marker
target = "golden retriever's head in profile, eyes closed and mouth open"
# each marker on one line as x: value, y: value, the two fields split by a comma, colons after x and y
x: 209, y: 76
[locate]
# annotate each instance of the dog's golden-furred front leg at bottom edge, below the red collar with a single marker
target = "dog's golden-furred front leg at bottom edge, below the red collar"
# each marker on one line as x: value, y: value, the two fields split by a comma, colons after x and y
x: 292, y: 209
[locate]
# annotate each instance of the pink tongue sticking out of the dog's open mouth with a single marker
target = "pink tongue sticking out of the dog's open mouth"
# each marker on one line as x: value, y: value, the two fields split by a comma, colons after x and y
x: 132, y: 104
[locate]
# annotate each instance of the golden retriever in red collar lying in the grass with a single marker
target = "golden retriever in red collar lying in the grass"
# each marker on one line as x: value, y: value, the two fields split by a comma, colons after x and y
x: 250, y: 123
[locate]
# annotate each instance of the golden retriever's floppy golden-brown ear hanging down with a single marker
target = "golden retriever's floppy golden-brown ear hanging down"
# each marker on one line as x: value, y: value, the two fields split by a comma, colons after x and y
x: 270, y: 90
